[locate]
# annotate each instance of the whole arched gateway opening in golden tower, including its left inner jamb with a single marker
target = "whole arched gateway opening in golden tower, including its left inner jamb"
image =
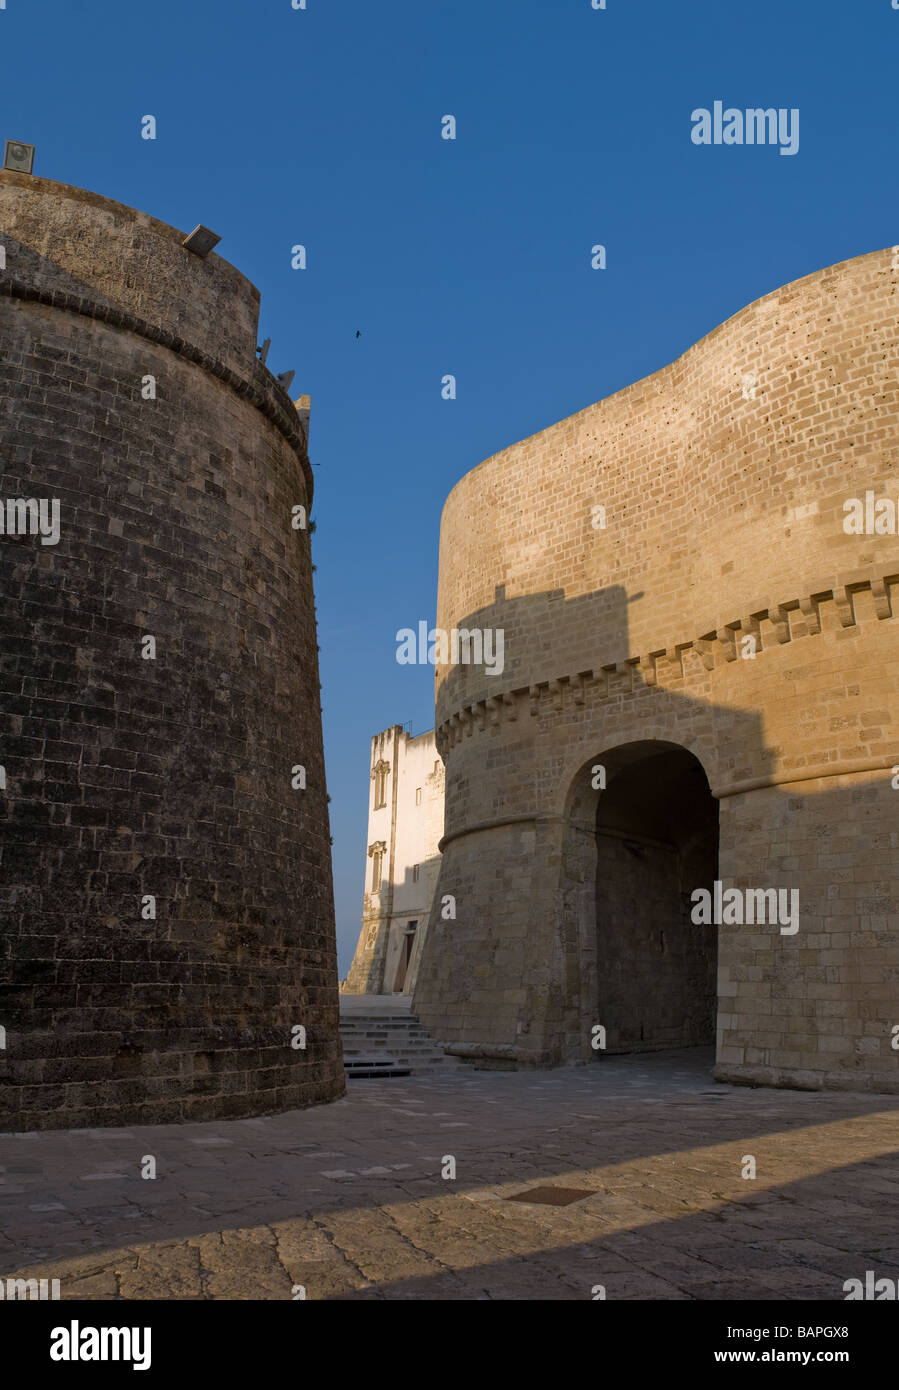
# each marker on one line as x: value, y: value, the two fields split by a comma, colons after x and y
x: 641, y: 835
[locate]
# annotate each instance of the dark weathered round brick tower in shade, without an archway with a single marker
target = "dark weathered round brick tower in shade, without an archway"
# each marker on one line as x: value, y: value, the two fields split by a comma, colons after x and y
x: 166, y: 897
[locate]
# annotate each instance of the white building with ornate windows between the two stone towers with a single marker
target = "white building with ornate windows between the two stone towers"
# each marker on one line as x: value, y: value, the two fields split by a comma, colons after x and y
x: 405, y: 829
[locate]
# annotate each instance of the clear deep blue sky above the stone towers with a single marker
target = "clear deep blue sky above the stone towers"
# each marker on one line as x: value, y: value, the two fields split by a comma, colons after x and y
x: 473, y: 258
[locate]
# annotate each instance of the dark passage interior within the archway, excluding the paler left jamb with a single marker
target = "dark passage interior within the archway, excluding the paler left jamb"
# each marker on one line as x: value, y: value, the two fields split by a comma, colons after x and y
x: 657, y: 842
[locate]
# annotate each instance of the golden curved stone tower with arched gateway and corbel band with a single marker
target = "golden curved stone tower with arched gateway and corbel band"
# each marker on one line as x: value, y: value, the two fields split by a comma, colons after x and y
x: 701, y: 687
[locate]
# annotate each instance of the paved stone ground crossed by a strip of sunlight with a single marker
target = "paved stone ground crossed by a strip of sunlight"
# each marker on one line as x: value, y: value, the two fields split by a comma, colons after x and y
x: 348, y: 1199
